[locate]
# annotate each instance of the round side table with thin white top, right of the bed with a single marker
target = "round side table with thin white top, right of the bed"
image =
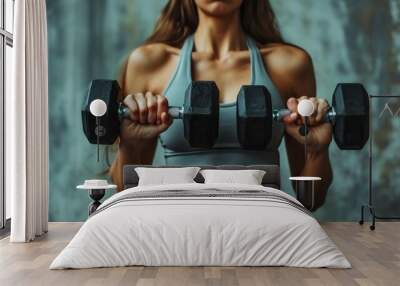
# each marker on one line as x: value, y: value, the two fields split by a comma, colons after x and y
x: 305, y: 190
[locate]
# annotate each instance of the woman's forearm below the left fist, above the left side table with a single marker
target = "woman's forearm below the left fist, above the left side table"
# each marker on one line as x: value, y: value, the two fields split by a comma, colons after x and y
x: 140, y: 152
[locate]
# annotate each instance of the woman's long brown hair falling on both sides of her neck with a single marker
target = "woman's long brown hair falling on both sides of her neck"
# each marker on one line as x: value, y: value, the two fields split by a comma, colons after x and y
x: 179, y: 19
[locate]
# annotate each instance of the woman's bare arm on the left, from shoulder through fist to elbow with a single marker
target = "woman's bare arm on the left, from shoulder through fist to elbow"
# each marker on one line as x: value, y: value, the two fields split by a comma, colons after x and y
x: 138, y: 138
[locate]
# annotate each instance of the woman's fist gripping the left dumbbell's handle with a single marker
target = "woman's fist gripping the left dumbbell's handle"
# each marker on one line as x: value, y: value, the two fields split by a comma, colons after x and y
x: 148, y: 117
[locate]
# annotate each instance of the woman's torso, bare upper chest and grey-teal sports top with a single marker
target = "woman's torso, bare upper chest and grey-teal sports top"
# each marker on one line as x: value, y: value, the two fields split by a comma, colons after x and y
x: 245, y: 68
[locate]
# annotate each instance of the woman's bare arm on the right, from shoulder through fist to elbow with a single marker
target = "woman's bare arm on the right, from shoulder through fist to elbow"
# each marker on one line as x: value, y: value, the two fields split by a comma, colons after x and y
x: 292, y: 72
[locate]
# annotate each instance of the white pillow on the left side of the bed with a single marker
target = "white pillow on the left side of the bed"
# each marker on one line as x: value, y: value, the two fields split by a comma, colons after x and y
x: 164, y: 176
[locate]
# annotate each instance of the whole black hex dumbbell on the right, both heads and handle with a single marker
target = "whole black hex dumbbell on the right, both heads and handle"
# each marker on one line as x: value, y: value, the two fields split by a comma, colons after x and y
x: 349, y: 116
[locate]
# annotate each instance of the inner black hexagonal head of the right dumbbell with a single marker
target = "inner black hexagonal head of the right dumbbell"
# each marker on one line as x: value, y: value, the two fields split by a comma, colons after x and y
x: 254, y: 117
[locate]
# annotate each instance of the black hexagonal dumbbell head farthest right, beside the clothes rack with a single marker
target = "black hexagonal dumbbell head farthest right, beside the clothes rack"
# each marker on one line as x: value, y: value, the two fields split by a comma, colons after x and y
x: 351, y: 105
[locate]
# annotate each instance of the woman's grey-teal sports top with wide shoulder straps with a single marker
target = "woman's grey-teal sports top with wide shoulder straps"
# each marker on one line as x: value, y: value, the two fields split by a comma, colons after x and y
x: 173, y: 148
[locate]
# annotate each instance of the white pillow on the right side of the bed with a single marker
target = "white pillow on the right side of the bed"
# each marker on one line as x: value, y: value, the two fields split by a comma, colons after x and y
x: 248, y: 177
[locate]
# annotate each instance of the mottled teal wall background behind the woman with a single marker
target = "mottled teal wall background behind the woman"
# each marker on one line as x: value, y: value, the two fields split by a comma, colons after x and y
x: 349, y: 40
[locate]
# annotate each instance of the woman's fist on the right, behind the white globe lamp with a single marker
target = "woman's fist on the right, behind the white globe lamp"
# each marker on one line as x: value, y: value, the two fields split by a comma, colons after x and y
x: 319, y: 133
